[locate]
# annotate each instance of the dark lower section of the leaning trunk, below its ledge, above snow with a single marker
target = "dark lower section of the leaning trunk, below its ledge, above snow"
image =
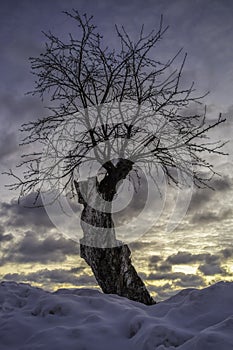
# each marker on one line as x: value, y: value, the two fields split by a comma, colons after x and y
x: 115, y: 273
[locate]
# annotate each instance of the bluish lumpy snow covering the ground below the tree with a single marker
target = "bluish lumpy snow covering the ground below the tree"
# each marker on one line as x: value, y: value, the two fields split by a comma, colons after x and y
x: 85, y: 319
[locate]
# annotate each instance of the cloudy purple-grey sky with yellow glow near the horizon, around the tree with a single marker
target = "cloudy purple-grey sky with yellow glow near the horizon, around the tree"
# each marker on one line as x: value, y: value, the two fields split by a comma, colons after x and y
x: 199, y: 251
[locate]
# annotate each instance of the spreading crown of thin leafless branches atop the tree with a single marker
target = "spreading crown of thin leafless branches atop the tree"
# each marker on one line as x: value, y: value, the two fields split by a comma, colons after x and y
x: 114, y: 103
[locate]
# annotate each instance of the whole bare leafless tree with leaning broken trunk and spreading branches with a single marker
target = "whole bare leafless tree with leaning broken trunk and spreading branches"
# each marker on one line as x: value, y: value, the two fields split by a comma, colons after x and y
x: 124, y: 109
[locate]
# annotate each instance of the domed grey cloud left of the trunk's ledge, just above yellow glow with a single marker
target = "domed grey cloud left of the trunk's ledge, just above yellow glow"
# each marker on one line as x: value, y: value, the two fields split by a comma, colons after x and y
x: 33, y: 249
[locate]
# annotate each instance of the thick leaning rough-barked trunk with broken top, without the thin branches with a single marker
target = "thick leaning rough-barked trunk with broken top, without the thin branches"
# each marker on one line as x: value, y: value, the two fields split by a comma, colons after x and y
x: 108, y: 258
